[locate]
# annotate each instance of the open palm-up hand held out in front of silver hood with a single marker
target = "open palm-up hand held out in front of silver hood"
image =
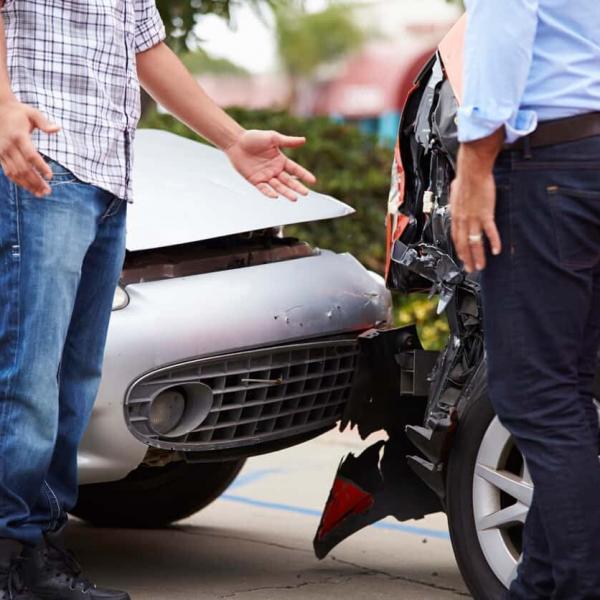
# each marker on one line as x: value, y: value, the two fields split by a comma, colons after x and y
x: 258, y: 156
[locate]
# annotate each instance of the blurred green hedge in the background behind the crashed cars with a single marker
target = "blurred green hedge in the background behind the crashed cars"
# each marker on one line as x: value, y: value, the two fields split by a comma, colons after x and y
x: 353, y: 167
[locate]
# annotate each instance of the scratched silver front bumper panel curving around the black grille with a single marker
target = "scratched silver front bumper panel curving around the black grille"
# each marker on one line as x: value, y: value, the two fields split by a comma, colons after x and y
x: 176, y: 320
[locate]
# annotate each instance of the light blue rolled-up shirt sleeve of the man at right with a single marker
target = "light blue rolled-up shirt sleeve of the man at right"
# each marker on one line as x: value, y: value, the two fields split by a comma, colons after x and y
x: 498, y: 55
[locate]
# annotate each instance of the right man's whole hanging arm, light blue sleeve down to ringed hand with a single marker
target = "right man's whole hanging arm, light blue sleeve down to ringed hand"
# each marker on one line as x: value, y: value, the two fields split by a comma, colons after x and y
x: 498, y: 55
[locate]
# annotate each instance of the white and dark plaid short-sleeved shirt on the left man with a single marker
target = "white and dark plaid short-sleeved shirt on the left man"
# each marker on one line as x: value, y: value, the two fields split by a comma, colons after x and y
x: 74, y: 60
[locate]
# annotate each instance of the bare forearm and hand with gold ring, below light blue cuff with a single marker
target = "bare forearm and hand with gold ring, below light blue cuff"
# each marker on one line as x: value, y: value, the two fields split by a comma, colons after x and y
x: 473, y: 201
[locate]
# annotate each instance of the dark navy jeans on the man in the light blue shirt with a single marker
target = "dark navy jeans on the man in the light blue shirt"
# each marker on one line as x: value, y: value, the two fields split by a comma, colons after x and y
x: 542, y: 325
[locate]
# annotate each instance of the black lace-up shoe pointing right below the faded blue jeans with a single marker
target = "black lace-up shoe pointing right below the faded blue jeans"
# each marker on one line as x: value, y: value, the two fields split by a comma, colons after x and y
x: 51, y: 572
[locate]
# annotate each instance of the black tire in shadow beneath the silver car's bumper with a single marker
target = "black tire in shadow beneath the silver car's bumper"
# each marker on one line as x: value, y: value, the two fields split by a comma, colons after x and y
x: 152, y: 497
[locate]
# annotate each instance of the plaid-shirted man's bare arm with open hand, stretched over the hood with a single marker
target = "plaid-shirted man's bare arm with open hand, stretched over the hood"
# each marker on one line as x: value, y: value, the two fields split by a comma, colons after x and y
x: 255, y: 154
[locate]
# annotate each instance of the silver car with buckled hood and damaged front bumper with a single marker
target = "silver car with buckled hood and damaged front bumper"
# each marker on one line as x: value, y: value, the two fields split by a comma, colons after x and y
x: 227, y: 338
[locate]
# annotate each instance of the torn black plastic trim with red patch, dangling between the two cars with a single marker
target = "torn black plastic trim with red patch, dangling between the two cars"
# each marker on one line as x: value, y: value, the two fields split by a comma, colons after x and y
x: 390, y: 391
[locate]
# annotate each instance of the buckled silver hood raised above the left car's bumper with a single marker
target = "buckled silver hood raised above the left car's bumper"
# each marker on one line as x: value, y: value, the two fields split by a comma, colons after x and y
x: 186, y: 191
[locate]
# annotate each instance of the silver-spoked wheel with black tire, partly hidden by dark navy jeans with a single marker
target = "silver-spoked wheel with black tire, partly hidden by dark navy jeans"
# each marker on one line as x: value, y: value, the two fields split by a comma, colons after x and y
x: 489, y: 492
